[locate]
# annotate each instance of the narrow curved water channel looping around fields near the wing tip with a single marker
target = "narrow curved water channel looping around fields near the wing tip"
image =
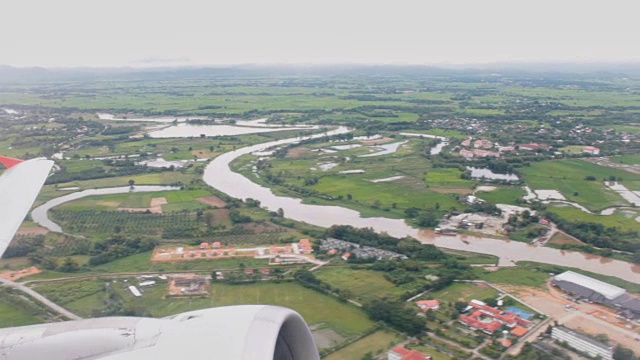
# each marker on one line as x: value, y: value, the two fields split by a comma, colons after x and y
x: 40, y: 214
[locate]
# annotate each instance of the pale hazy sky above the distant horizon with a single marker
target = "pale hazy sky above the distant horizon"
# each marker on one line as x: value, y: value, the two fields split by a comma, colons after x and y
x: 138, y: 32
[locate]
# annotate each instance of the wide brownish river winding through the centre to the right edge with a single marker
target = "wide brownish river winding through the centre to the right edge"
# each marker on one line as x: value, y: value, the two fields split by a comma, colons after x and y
x: 219, y: 175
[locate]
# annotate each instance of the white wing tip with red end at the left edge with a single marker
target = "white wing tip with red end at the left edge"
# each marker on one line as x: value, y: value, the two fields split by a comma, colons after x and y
x: 19, y: 186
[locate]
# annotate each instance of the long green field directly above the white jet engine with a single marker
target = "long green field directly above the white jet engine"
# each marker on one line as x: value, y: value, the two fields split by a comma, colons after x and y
x: 86, y: 296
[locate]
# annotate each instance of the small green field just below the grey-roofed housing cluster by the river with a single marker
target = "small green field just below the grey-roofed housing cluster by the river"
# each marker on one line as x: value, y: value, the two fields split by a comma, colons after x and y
x: 363, y: 284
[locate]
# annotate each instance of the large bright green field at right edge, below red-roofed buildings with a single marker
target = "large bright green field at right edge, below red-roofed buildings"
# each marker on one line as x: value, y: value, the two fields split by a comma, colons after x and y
x: 568, y: 176
